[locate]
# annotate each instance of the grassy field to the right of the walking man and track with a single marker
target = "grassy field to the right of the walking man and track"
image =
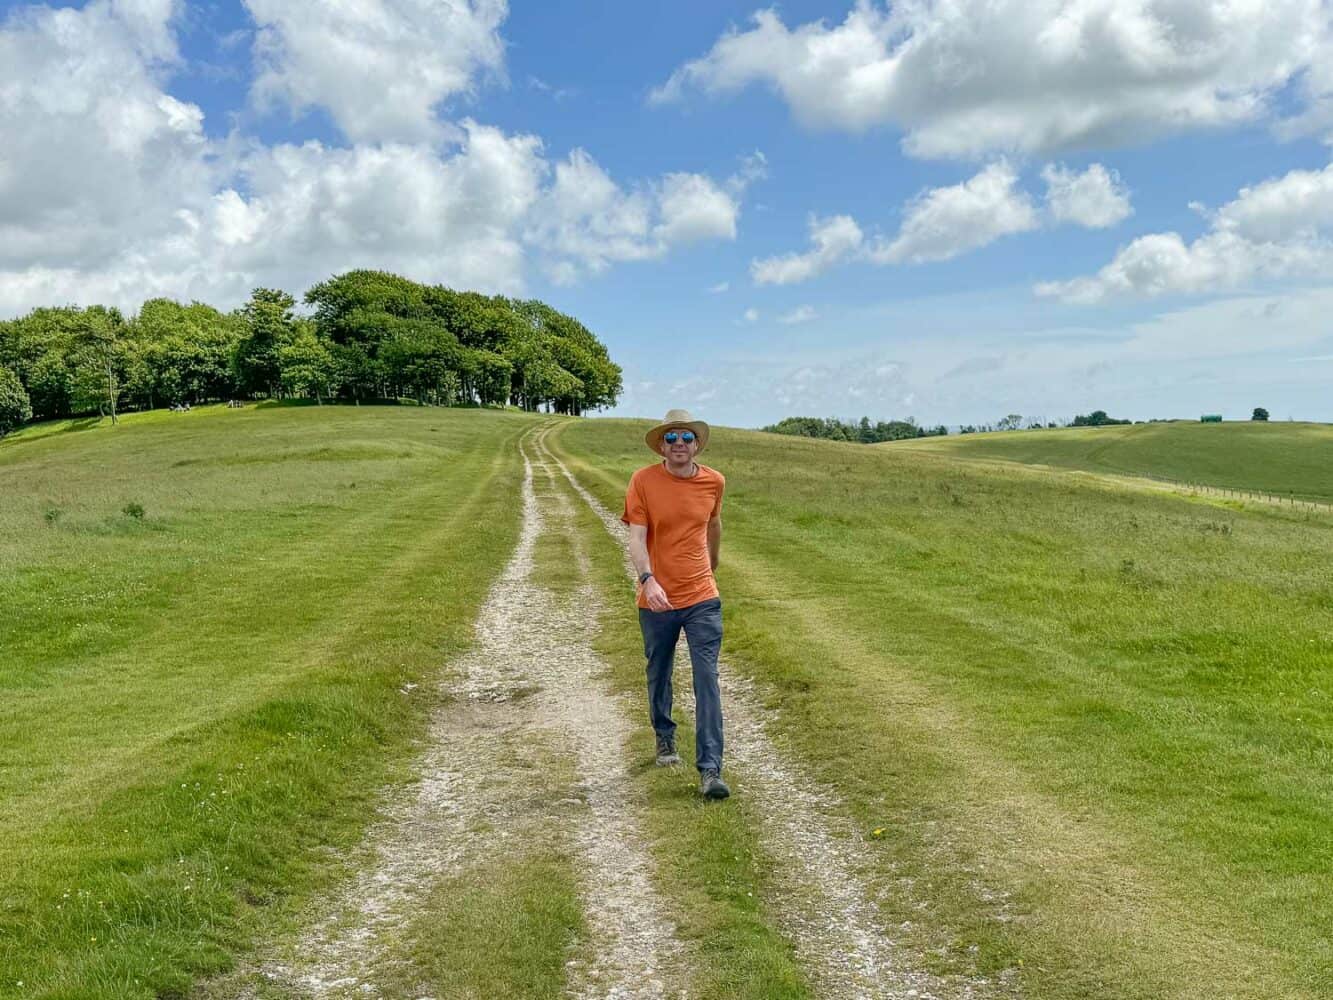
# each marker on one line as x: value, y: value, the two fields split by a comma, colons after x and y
x: 1096, y: 723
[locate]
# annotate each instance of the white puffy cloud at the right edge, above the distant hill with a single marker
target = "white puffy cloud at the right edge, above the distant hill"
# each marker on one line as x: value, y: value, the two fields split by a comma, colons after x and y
x: 1279, y: 229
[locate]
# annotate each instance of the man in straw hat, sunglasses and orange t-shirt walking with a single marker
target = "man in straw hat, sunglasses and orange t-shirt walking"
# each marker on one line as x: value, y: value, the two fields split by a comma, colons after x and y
x: 674, y: 511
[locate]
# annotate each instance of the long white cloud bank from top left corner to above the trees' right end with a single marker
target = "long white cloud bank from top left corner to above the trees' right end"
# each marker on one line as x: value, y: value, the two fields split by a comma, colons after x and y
x: 118, y: 195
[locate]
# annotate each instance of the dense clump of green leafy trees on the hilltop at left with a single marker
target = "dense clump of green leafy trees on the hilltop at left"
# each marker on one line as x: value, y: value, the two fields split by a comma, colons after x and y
x: 370, y: 335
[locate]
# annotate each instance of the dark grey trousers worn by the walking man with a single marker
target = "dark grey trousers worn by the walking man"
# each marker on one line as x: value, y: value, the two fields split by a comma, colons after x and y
x: 703, y: 627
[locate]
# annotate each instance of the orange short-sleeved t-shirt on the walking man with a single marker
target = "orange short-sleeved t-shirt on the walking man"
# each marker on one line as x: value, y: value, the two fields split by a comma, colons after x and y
x: 676, y: 513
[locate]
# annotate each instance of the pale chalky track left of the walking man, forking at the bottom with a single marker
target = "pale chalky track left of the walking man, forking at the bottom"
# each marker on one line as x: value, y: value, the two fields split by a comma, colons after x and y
x: 530, y: 689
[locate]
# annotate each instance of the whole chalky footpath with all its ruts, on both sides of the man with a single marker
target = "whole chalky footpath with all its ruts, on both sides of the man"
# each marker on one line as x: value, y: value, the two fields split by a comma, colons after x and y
x: 531, y: 753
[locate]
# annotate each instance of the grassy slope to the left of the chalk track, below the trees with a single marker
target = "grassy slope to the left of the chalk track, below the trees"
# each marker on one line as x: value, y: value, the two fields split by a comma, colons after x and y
x: 197, y: 701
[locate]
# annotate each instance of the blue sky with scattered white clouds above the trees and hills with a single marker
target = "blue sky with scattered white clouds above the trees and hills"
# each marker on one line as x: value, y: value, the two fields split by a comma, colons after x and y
x: 947, y: 210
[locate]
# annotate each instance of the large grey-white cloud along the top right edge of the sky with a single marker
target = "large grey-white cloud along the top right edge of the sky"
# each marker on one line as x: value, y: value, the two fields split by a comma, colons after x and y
x: 966, y: 78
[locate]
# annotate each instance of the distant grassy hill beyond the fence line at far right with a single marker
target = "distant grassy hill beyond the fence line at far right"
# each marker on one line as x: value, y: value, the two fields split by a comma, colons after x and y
x: 1276, y: 458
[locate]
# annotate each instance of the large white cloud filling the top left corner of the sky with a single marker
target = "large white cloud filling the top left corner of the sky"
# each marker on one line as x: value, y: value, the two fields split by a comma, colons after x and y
x: 93, y: 142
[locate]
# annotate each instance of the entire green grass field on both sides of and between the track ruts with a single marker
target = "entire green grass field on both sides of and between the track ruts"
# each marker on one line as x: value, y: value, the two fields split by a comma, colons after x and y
x: 1094, y: 723
